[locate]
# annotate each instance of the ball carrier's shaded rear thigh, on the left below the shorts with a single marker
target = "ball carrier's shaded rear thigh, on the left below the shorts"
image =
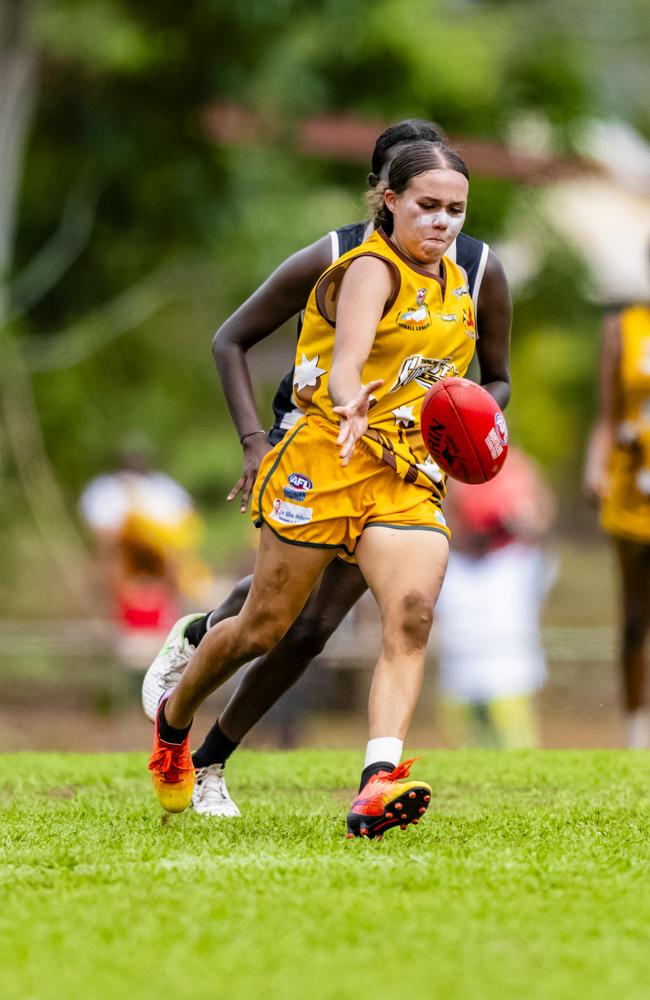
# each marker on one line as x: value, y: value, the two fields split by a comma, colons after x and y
x: 284, y: 577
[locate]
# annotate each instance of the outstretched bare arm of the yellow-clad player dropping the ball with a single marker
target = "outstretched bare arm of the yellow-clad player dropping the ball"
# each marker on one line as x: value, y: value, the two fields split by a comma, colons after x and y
x: 365, y: 289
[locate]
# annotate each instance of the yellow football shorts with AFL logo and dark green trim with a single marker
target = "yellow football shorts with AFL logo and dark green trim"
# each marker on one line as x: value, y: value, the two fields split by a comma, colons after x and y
x: 307, y: 497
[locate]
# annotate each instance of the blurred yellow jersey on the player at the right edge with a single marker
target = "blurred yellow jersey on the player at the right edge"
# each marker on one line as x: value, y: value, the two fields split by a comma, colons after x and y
x: 626, y: 510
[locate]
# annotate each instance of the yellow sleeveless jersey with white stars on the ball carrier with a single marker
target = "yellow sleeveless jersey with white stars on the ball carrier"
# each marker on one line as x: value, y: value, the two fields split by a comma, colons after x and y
x: 427, y: 333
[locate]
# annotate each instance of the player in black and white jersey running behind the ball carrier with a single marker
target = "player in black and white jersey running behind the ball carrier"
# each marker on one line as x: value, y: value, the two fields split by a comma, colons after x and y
x: 282, y: 296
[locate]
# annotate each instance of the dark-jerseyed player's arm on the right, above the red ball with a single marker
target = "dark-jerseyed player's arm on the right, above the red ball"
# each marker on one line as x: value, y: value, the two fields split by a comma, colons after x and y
x: 494, y: 316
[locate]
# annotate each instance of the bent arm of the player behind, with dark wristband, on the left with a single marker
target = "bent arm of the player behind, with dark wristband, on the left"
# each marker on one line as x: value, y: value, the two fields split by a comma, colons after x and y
x: 281, y: 296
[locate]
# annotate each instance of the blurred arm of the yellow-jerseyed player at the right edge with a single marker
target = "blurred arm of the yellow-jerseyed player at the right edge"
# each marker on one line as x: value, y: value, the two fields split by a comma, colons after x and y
x: 601, y: 439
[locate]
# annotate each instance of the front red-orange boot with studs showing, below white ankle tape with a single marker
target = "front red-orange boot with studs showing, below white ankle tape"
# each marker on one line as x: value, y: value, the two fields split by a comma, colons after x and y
x: 385, y: 801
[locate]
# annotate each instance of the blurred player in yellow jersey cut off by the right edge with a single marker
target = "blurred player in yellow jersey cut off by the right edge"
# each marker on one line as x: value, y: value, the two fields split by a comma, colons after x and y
x: 617, y: 476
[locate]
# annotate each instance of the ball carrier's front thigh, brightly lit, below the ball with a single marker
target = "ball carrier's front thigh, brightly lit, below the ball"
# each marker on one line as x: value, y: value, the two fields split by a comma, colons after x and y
x: 404, y: 568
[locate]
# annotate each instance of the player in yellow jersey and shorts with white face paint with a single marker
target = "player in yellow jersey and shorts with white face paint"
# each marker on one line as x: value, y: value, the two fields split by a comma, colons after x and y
x: 403, y: 318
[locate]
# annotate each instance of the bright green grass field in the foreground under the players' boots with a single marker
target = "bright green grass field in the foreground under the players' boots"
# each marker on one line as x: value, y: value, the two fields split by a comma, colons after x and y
x: 529, y: 877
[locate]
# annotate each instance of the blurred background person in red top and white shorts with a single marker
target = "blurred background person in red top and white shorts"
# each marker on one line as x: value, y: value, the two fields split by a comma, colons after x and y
x: 497, y: 580
